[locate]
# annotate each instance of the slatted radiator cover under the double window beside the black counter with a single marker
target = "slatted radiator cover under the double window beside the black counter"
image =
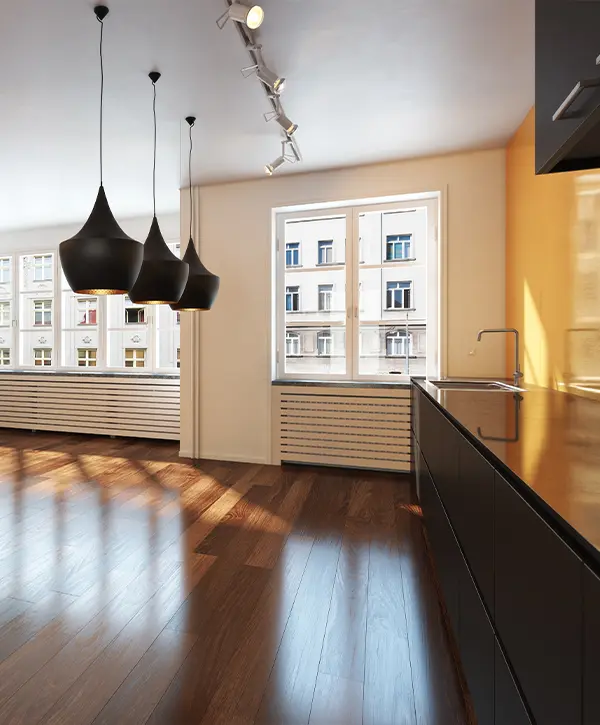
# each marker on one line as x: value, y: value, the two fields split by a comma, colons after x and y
x: 354, y: 427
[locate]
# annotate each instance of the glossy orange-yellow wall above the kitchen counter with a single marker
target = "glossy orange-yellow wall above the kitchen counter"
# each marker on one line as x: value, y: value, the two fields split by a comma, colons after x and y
x: 552, y: 266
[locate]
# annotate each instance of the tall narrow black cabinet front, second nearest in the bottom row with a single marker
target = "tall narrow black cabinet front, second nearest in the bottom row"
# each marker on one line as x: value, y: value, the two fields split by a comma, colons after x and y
x: 476, y: 643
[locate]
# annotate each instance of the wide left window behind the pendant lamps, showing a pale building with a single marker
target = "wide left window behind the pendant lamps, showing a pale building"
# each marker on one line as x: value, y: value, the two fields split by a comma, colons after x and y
x: 43, y: 324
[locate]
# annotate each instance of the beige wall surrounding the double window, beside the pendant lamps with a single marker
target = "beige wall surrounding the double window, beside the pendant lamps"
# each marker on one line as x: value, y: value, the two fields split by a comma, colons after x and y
x: 229, y: 415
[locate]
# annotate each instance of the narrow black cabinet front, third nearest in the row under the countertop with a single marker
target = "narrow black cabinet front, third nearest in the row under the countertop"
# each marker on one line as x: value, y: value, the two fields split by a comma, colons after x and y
x: 471, y: 509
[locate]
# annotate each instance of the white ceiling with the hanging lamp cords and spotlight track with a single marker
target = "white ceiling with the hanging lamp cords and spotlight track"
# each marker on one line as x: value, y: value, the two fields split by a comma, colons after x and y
x: 368, y: 80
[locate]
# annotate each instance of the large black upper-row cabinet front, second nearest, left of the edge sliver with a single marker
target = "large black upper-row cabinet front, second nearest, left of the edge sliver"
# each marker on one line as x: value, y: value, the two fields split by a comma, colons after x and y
x: 538, y: 593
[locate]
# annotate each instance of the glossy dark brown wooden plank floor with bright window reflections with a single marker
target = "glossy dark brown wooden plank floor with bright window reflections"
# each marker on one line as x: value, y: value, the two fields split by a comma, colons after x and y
x: 138, y: 588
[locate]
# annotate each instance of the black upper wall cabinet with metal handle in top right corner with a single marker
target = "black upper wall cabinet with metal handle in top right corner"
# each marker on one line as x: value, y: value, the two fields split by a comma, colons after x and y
x: 567, y: 49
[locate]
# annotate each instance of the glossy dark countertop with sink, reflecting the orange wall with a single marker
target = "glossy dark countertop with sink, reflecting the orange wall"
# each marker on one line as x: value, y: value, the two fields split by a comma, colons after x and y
x: 547, y: 443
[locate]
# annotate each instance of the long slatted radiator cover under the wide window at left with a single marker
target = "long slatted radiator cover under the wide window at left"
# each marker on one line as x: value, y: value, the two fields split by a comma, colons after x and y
x: 120, y: 406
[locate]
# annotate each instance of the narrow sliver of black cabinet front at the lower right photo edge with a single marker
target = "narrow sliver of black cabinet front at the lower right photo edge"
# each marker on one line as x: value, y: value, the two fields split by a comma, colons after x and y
x: 591, y: 649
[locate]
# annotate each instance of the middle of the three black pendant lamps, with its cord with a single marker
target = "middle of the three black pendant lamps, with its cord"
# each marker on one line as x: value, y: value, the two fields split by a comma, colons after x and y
x: 163, y: 276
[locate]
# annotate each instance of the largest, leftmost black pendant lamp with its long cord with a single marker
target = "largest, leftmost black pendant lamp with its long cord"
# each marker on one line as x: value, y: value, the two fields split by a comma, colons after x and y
x: 101, y: 259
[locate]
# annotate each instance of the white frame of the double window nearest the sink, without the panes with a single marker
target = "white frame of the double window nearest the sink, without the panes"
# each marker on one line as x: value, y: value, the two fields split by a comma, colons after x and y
x: 436, y: 286
